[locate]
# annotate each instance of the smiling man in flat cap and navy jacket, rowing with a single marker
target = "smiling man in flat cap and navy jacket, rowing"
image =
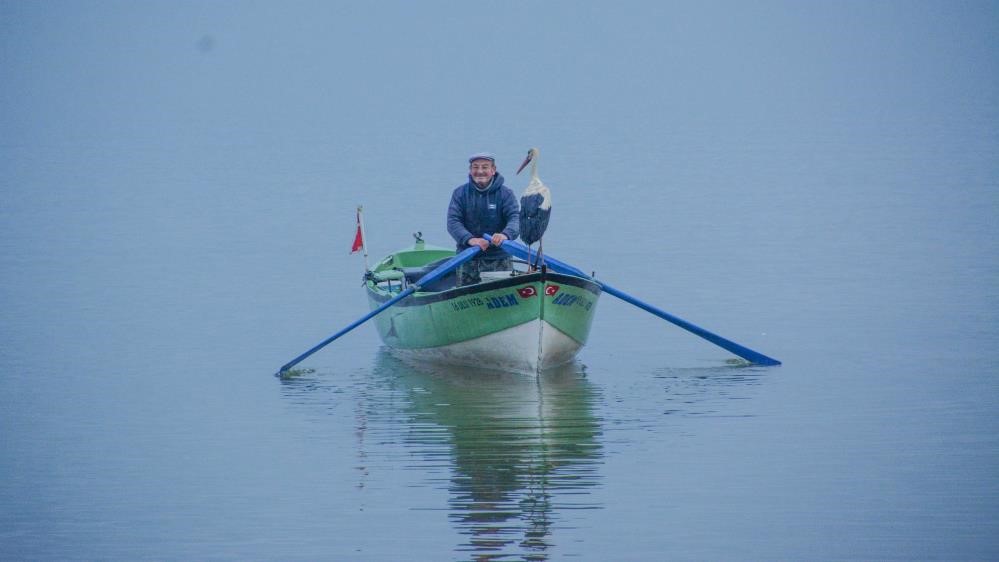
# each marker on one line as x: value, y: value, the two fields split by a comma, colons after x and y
x: 483, y: 205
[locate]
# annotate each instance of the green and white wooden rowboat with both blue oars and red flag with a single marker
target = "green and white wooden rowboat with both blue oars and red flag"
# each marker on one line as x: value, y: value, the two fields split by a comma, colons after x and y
x: 518, y: 320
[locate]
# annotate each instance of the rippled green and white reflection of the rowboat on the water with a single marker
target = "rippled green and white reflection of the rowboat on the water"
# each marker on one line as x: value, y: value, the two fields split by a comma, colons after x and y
x: 522, y: 450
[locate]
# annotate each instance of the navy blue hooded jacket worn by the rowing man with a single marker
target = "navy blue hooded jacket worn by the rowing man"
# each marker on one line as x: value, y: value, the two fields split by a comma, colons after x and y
x: 474, y: 212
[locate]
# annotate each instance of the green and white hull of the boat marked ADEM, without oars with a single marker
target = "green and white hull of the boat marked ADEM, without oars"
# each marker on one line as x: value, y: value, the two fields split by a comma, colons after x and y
x: 517, y: 321
